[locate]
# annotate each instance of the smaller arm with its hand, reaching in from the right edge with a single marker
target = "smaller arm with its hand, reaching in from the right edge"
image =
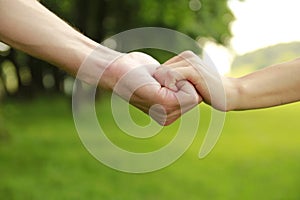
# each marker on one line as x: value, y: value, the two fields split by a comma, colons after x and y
x: 272, y: 86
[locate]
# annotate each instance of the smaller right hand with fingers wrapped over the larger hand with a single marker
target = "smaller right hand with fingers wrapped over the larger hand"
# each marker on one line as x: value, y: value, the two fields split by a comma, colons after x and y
x: 188, y: 66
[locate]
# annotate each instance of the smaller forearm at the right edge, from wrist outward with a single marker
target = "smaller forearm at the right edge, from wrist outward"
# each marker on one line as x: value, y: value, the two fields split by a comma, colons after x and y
x: 271, y: 86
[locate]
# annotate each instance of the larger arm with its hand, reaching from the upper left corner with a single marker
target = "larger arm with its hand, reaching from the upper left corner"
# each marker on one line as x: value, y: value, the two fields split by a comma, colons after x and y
x: 40, y: 33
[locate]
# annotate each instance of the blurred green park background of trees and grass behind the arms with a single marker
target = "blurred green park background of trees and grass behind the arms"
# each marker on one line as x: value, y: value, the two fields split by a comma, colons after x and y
x: 41, y: 156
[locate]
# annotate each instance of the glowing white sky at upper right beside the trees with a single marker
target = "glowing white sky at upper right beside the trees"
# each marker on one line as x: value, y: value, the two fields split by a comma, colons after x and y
x: 258, y: 24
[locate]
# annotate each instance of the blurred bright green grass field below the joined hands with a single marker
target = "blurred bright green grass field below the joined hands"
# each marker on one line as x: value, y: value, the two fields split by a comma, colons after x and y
x: 42, y: 157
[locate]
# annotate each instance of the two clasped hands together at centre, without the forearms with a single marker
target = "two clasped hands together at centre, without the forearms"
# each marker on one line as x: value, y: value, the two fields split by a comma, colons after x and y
x: 167, y: 91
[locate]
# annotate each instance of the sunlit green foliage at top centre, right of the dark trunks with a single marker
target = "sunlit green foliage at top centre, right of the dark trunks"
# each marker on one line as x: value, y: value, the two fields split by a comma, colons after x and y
x: 211, y: 19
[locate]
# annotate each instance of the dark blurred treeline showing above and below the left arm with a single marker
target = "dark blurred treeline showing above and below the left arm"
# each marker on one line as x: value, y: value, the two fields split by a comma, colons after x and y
x: 22, y: 76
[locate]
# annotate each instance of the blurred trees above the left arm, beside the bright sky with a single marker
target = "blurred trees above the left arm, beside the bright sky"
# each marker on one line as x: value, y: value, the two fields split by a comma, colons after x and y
x: 196, y: 18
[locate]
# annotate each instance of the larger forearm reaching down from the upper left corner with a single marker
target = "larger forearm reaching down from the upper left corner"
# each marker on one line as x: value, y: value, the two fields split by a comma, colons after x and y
x: 30, y: 27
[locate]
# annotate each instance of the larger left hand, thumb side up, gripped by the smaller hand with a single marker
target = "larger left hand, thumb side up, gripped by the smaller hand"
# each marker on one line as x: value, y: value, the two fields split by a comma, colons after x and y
x: 132, y: 79
